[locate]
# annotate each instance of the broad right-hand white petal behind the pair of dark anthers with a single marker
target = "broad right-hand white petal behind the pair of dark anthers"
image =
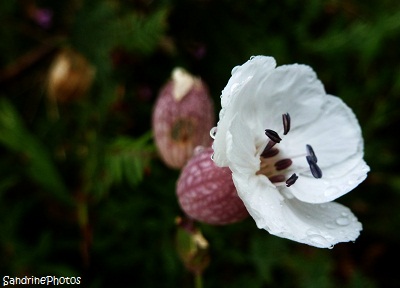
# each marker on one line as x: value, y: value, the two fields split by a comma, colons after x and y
x: 338, y: 144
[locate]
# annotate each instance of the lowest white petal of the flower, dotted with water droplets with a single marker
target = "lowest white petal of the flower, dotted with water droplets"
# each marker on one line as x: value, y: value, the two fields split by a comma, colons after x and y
x: 319, y: 225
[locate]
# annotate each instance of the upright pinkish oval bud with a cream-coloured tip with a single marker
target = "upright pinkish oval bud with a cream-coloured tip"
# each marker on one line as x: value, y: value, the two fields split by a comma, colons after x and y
x: 182, y: 118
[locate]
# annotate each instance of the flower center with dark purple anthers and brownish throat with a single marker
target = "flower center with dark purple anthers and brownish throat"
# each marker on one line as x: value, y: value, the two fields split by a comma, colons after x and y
x: 278, y: 169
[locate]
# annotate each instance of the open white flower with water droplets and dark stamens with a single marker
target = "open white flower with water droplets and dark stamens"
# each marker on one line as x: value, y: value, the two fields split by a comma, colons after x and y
x: 292, y: 104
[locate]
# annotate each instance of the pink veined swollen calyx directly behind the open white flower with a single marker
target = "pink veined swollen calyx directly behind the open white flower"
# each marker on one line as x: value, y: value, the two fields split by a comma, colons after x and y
x: 206, y: 192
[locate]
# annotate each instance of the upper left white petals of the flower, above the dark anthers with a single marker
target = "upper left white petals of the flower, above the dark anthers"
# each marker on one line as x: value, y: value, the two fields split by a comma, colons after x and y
x: 261, y: 94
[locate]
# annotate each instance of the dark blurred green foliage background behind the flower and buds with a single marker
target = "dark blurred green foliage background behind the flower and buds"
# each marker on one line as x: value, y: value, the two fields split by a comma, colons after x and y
x: 82, y: 190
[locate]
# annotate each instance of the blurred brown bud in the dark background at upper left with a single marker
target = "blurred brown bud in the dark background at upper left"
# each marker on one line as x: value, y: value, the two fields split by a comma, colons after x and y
x: 70, y: 77
